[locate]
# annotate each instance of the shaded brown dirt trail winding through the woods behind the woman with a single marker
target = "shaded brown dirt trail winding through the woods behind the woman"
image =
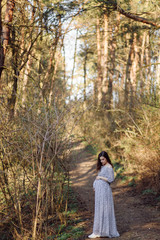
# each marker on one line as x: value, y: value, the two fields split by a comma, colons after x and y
x: 135, y: 221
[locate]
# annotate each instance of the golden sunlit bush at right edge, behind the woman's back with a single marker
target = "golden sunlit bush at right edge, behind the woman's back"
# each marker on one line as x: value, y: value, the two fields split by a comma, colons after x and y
x: 140, y: 147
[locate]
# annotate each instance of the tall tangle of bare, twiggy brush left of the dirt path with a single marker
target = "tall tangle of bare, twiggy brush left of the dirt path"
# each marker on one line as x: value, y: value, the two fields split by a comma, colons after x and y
x: 34, y: 172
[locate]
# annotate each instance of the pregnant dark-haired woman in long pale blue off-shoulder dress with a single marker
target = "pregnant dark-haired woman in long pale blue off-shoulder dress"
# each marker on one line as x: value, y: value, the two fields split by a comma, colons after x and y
x: 104, y: 217
